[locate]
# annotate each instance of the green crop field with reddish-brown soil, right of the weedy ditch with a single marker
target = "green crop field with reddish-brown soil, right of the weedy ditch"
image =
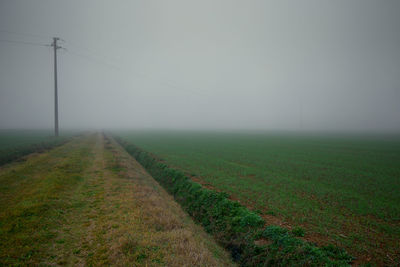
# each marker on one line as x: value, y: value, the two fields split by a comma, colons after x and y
x: 343, y: 190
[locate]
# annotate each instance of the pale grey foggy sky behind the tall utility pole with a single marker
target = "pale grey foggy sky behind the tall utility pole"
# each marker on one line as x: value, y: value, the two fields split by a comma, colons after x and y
x: 210, y: 64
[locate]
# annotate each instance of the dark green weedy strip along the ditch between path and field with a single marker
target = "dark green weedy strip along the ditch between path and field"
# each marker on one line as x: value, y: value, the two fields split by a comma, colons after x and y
x: 242, y: 232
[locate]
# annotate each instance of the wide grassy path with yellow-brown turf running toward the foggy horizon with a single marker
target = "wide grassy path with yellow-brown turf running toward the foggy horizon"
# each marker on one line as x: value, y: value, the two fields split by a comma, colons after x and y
x: 89, y: 203
